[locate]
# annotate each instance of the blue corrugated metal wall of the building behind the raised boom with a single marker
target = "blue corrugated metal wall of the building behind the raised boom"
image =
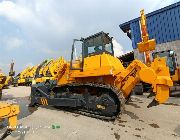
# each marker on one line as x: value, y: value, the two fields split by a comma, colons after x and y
x: 163, y: 25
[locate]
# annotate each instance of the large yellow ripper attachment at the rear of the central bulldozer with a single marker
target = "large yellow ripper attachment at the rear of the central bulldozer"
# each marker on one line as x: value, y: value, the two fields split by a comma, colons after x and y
x: 157, y: 75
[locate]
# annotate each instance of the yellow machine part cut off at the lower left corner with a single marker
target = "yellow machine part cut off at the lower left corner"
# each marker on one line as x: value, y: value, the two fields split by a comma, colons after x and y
x: 10, y: 112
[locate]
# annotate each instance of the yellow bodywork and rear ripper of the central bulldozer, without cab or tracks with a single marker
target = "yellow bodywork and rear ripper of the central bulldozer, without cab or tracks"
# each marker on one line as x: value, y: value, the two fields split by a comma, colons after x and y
x: 111, y: 71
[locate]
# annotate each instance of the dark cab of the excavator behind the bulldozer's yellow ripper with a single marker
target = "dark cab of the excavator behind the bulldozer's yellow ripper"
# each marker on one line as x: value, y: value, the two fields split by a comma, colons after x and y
x: 170, y: 59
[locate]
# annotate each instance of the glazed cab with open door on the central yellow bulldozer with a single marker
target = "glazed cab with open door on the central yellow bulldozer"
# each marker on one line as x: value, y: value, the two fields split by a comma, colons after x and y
x: 93, y: 45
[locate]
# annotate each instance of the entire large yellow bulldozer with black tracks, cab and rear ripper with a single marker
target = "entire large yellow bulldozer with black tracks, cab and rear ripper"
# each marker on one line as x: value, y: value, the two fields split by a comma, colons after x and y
x: 96, y: 83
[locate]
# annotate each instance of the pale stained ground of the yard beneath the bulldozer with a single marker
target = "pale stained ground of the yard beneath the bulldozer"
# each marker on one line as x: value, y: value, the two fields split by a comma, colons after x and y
x: 137, y: 121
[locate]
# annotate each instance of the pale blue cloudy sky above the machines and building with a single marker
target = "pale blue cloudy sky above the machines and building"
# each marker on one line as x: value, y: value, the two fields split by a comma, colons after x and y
x: 34, y: 30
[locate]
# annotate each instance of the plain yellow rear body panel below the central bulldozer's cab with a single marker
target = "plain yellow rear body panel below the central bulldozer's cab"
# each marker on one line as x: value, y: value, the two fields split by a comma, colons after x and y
x: 99, y: 65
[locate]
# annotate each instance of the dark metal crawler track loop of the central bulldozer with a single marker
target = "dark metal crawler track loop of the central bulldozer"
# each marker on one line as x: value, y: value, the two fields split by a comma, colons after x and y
x: 92, y: 112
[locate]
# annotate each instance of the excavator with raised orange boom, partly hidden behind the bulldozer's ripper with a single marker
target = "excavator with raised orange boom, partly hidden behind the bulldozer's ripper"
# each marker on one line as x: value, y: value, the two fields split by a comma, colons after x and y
x: 171, y: 61
